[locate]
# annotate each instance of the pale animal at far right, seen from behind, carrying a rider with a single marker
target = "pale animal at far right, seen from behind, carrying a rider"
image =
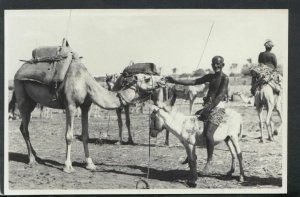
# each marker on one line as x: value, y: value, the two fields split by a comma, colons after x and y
x: 265, y: 98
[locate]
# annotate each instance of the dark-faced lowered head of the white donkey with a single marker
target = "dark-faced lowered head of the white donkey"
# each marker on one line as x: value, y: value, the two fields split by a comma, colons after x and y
x: 156, y: 122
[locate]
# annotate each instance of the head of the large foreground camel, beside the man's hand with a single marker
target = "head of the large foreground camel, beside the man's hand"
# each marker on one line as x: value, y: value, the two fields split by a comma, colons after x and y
x: 148, y: 83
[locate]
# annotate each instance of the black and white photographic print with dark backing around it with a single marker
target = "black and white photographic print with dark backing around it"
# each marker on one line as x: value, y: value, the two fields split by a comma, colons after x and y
x: 146, y: 101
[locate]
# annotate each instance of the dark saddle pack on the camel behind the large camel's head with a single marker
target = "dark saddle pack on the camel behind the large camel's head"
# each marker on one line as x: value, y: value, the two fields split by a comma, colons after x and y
x: 144, y: 68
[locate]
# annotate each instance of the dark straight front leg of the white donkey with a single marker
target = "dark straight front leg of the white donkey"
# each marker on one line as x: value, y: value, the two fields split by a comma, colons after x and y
x: 192, y: 159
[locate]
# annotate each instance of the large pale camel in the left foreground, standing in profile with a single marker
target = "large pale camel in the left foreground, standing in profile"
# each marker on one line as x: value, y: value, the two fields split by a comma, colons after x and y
x: 78, y: 89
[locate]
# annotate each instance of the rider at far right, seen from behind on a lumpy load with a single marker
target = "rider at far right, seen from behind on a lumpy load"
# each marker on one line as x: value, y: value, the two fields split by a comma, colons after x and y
x: 266, y: 71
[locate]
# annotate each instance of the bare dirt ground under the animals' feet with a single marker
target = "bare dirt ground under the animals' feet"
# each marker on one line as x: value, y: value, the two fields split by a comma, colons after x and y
x: 120, y: 166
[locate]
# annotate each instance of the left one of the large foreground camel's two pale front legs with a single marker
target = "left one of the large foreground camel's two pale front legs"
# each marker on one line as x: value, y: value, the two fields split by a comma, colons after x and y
x: 70, y: 114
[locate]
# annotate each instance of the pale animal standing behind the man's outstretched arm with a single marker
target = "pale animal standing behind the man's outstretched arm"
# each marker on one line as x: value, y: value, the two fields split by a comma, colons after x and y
x: 187, y: 92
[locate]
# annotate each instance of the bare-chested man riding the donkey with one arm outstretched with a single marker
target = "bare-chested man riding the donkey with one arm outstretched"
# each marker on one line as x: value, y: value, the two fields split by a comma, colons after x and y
x: 213, y: 111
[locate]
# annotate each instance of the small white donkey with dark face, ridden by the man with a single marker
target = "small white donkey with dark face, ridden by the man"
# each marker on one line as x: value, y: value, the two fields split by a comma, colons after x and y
x: 190, y: 133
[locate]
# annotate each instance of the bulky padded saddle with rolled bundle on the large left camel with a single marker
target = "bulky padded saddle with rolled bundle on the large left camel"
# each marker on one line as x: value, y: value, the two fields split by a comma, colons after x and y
x: 48, y: 65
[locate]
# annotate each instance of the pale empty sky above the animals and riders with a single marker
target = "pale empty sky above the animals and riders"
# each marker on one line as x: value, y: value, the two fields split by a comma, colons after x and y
x: 177, y: 38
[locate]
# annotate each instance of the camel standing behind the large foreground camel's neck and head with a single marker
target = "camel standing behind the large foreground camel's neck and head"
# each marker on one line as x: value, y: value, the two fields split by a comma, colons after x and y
x: 114, y: 83
